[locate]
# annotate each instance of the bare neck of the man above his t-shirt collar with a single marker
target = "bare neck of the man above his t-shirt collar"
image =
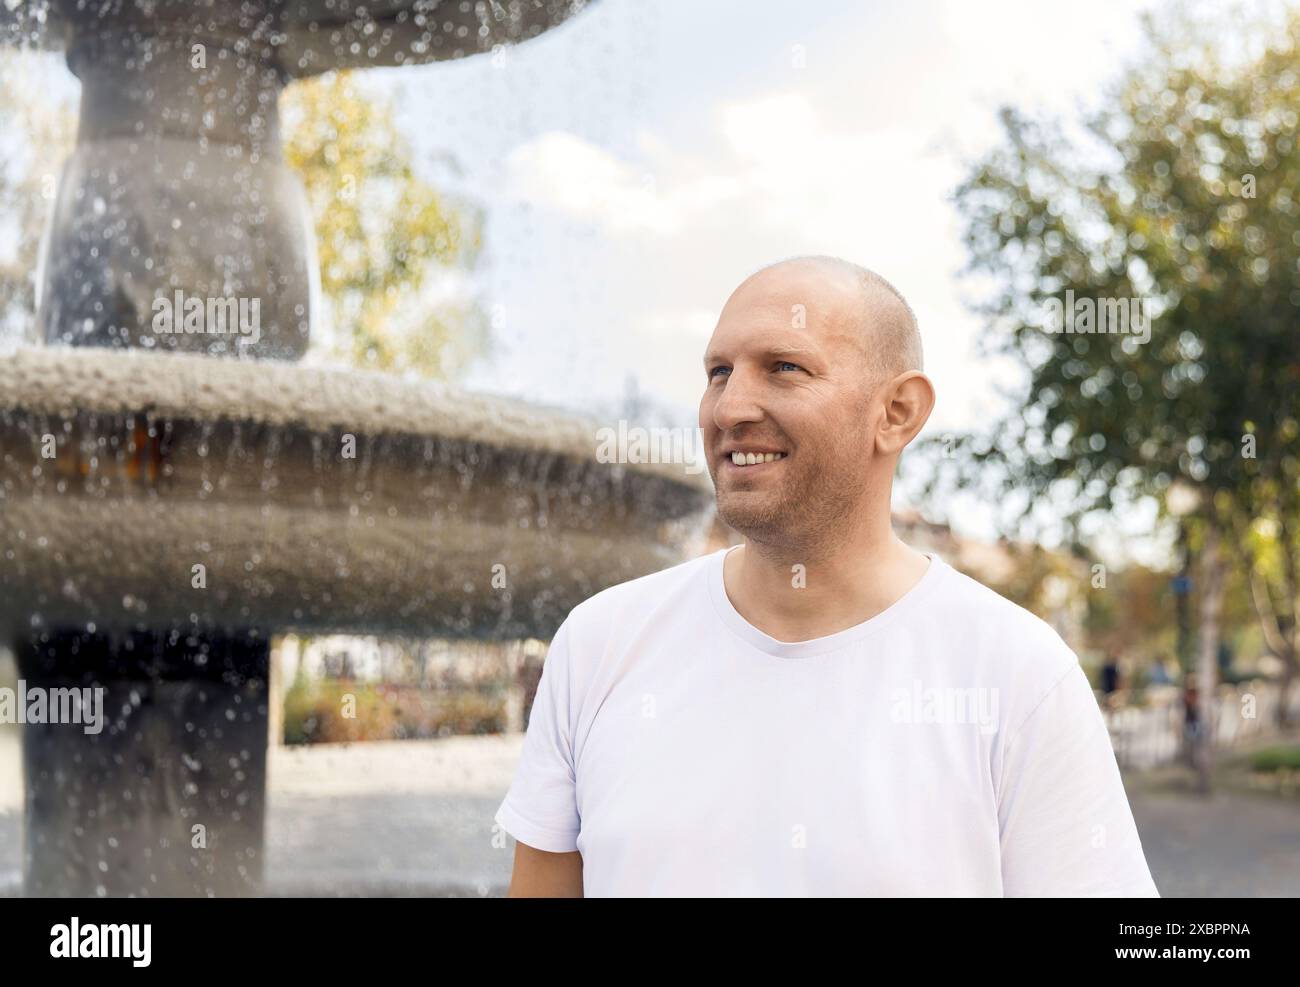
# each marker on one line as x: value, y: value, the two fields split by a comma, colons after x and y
x: 835, y: 587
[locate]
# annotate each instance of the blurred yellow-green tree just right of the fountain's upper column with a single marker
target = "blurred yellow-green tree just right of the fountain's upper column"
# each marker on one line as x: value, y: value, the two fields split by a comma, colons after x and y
x: 382, y: 232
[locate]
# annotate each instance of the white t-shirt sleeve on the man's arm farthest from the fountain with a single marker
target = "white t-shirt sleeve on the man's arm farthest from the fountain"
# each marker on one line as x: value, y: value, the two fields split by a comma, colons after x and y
x: 1067, y: 826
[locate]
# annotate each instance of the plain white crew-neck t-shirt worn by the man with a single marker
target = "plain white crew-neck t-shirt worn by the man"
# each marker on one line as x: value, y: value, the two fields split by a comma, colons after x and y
x: 947, y: 747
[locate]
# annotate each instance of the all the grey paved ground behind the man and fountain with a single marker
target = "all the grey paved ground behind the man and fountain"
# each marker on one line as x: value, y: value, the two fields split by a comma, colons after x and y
x: 415, y: 819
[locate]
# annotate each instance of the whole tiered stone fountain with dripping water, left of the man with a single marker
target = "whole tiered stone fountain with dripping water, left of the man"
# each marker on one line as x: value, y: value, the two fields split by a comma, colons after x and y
x: 172, y: 500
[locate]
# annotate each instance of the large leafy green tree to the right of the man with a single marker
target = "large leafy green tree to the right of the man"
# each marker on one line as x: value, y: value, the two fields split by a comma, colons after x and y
x: 1181, y: 192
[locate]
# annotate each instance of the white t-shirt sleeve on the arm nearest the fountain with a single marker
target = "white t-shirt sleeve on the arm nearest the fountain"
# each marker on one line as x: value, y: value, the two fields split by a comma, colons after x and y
x: 541, y: 807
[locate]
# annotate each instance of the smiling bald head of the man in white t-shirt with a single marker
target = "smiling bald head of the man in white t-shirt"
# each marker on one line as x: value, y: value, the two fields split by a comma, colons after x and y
x: 818, y: 361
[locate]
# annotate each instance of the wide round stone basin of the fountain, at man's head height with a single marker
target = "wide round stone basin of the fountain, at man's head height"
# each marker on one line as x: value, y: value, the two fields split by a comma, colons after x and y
x: 393, y: 507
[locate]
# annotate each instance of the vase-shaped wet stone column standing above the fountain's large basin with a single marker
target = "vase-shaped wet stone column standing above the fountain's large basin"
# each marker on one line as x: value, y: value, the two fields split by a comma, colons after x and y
x: 177, y: 185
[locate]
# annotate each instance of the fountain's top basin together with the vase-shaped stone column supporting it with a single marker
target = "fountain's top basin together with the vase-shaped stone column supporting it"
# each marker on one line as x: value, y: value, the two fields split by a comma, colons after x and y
x: 177, y: 181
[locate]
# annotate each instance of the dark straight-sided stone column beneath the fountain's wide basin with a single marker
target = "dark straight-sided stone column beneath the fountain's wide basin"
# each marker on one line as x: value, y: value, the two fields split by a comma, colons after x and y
x: 168, y: 799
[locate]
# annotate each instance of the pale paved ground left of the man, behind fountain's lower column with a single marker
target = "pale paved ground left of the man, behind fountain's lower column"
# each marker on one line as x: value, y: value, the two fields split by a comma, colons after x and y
x: 391, y: 819
